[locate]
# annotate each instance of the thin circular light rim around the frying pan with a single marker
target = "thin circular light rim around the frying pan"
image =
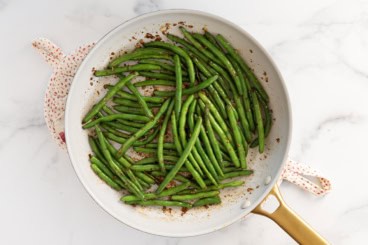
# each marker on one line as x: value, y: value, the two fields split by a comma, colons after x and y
x: 286, y: 141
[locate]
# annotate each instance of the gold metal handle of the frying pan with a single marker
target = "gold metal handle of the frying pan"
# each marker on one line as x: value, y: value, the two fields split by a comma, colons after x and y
x: 290, y: 222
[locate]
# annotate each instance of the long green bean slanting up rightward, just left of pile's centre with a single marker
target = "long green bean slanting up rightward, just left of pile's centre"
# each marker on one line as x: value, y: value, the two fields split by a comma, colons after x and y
x: 143, y: 130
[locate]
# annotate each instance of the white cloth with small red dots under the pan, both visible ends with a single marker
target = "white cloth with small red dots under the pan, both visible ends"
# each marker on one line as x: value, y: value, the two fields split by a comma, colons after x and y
x: 64, y: 68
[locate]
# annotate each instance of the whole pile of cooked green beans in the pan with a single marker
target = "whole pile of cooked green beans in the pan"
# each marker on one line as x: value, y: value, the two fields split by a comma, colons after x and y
x: 194, y: 138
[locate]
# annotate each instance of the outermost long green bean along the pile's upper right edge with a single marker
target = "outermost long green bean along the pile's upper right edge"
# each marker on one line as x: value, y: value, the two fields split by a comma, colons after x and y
x: 250, y: 75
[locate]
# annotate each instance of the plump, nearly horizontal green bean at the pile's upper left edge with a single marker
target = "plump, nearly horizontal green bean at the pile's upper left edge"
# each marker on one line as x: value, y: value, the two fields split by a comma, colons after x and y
x: 139, y: 53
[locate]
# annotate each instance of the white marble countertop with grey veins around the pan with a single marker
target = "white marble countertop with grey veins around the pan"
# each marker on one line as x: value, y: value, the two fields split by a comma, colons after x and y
x: 321, y: 49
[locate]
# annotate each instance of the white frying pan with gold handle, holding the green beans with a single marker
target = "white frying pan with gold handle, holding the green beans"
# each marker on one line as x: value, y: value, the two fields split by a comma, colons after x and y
x: 237, y: 202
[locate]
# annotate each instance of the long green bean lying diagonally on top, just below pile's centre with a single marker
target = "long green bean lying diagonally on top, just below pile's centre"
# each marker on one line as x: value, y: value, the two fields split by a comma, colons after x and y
x: 183, y: 156
